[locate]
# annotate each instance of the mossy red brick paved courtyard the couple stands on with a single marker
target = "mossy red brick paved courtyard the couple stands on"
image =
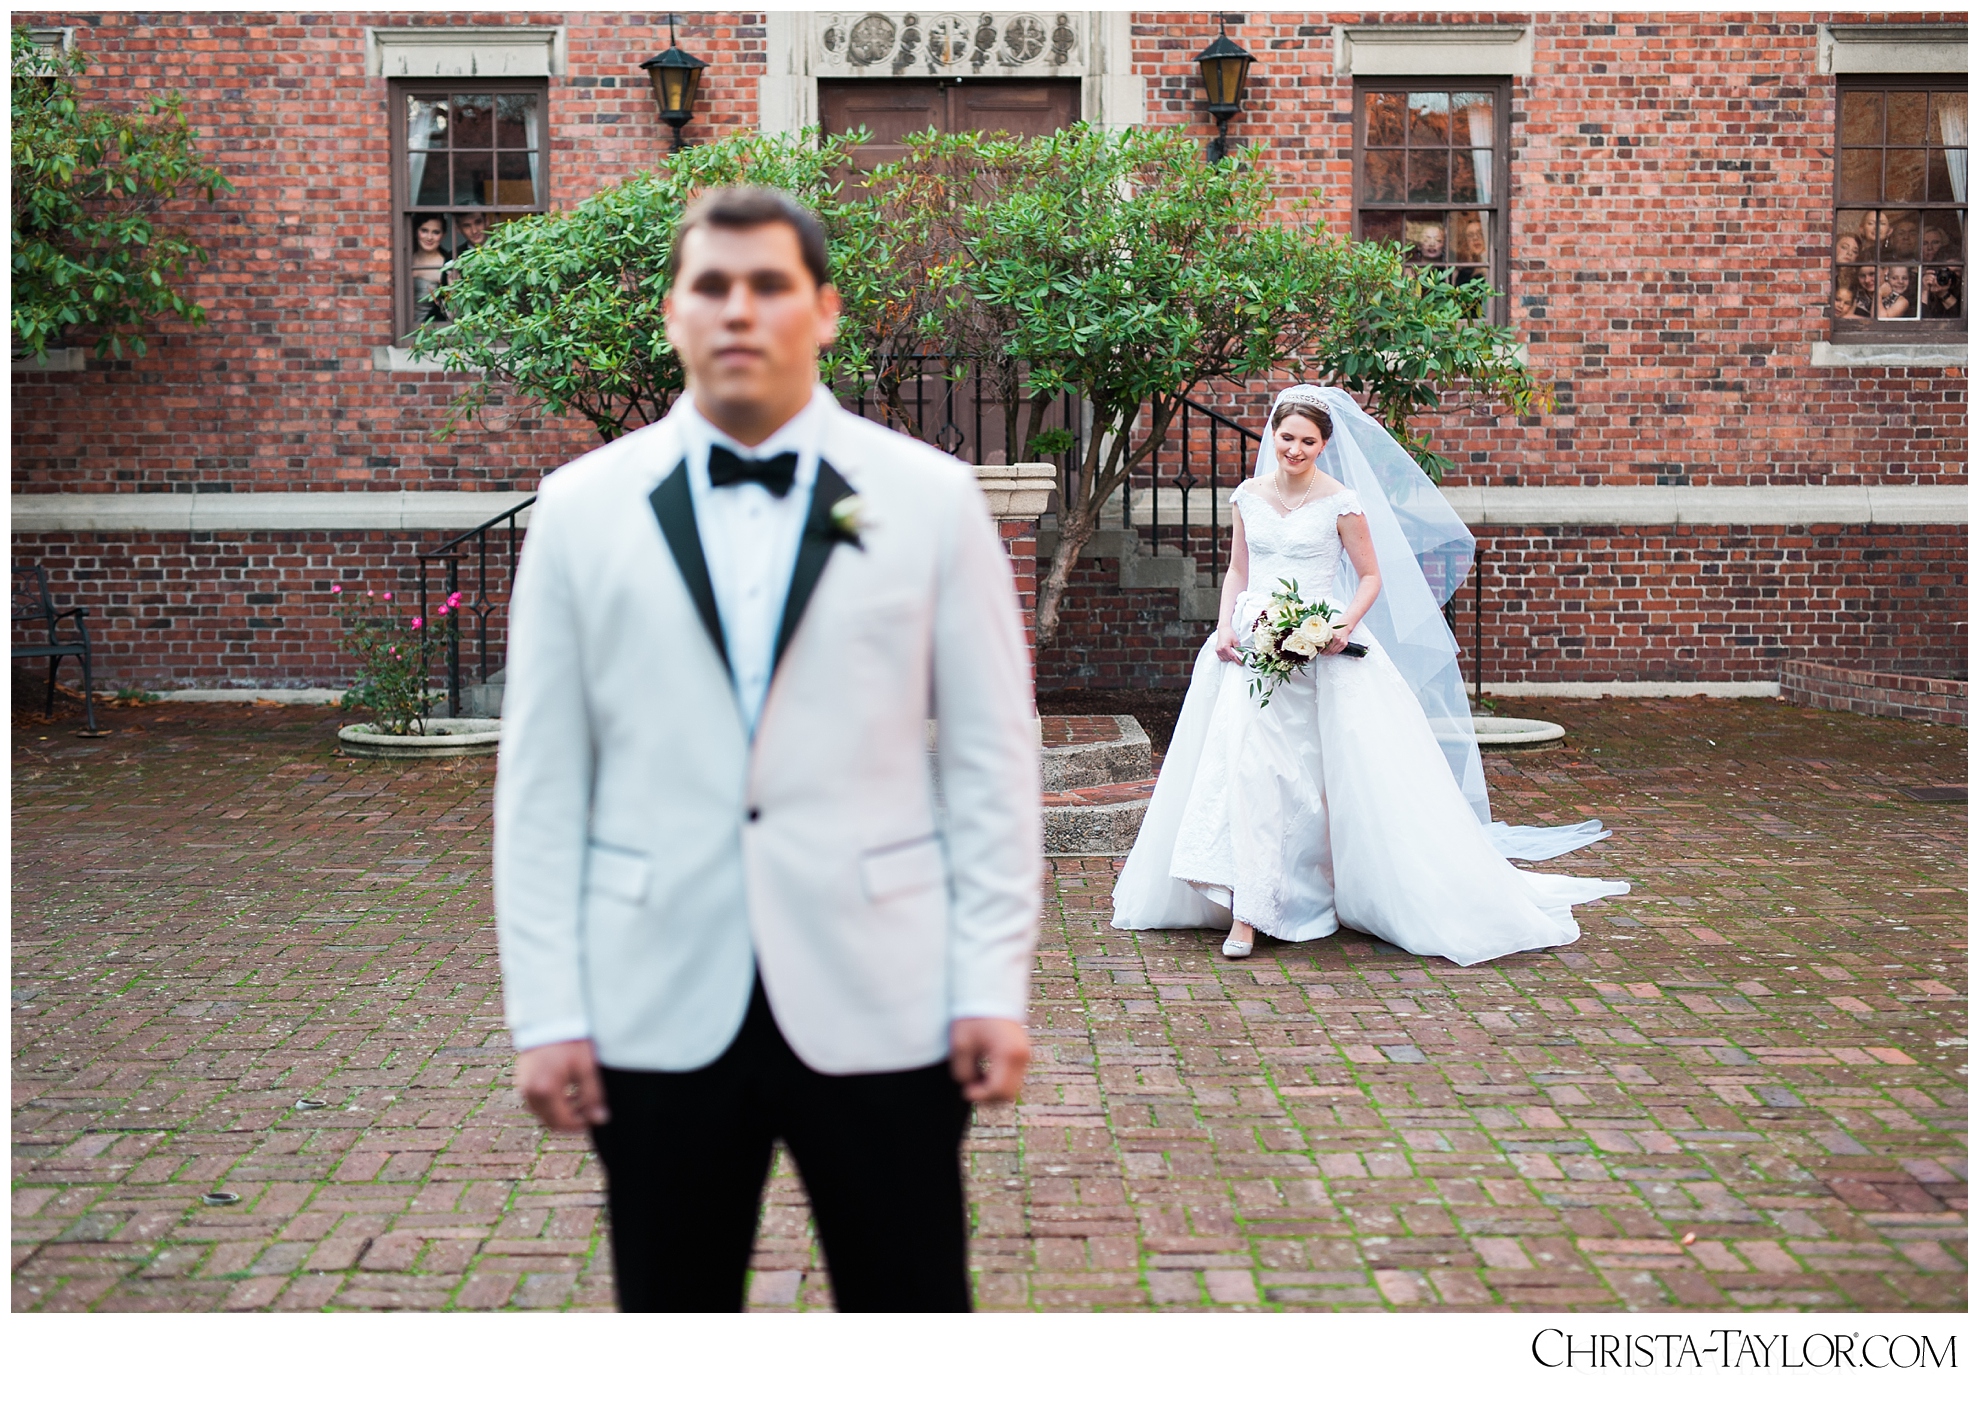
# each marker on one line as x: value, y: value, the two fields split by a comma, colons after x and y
x: 1744, y: 1086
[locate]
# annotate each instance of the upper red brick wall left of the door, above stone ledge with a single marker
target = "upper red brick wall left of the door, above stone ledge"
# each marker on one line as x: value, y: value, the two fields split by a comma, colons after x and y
x: 278, y: 393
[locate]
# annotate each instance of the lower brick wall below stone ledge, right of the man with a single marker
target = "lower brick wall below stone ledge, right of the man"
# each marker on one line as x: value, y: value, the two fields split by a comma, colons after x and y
x: 1614, y: 605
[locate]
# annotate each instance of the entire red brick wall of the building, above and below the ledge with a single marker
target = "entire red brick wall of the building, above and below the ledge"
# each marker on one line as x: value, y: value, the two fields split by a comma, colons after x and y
x: 1669, y: 193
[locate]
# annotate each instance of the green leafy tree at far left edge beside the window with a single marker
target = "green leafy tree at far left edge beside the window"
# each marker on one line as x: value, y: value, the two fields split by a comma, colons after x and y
x: 88, y: 189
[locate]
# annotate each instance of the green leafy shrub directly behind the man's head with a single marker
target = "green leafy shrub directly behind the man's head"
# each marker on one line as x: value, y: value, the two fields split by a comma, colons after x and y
x: 565, y: 308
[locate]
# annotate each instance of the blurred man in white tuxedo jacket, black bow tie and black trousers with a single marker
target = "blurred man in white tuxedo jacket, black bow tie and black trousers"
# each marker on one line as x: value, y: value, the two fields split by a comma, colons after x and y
x: 739, y: 900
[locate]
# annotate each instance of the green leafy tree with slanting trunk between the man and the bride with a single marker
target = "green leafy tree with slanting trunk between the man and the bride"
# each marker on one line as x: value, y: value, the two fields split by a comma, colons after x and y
x: 1135, y: 274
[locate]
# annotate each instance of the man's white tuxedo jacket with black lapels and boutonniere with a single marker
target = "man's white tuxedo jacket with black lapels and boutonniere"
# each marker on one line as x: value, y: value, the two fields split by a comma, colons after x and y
x: 650, y: 858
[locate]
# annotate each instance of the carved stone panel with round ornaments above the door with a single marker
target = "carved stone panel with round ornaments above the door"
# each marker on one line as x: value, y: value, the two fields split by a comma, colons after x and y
x: 951, y: 45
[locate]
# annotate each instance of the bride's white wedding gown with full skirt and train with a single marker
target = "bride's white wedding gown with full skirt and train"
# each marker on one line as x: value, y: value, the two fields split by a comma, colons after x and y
x: 1333, y: 805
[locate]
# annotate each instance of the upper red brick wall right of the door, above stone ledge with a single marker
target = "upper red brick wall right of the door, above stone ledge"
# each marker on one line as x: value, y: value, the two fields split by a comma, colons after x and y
x: 1671, y: 235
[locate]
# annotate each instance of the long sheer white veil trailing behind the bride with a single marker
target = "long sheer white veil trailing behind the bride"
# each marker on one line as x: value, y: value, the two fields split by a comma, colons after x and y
x: 1426, y: 555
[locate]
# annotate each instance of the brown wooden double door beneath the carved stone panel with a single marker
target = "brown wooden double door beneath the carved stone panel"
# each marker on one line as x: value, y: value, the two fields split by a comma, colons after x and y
x: 895, y: 108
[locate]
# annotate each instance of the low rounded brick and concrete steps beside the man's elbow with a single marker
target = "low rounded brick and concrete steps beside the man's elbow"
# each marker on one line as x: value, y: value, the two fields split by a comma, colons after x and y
x: 1099, y: 775
